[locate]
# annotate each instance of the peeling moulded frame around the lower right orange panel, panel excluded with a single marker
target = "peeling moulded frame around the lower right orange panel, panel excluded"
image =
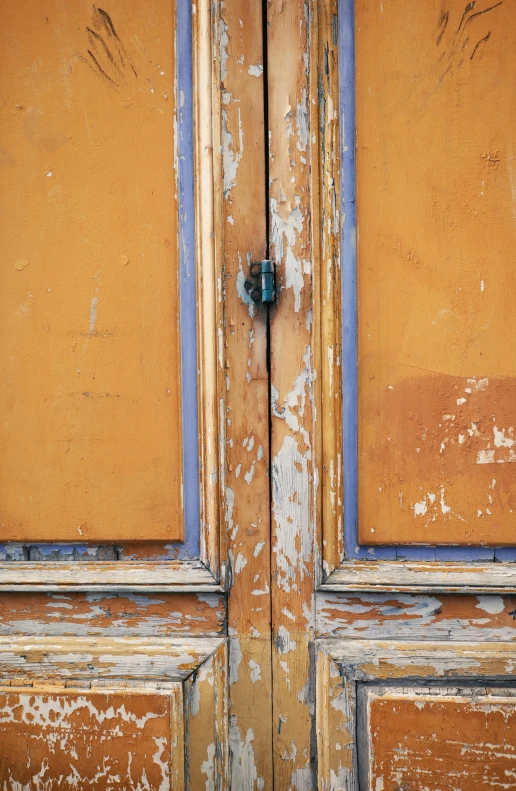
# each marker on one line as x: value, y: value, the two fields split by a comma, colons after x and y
x: 342, y: 665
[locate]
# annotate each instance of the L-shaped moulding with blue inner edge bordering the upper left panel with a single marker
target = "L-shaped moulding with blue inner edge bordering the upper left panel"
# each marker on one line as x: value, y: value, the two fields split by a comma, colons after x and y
x: 199, y: 153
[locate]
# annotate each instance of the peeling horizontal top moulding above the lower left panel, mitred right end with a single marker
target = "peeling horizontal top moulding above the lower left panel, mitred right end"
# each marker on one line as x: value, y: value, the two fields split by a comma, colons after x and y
x: 46, y: 658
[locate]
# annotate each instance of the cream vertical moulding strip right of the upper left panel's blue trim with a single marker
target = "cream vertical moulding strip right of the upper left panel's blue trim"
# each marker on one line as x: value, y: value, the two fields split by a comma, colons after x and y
x: 208, y: 195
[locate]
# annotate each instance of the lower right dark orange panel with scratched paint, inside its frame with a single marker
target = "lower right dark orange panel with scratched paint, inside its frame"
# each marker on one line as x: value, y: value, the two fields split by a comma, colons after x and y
x: 449, y: 743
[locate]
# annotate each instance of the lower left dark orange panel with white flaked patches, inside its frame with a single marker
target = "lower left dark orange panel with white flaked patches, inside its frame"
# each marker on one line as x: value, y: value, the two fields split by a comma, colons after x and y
x: 117, y: 740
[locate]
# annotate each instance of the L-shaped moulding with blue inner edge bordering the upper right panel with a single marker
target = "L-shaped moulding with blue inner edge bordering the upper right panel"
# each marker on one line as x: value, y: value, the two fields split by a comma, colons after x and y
x: 345, y: 564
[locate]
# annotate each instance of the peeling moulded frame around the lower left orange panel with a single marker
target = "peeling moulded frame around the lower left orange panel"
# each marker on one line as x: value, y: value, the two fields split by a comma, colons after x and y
x: 189, y: 673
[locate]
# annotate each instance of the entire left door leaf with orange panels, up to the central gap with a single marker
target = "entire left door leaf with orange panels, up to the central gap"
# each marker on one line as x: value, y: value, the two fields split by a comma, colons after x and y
x: 133, y: 479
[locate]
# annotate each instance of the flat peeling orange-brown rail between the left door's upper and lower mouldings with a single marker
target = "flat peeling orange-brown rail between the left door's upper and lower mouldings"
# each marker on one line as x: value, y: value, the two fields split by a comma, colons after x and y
x: 116, y: 615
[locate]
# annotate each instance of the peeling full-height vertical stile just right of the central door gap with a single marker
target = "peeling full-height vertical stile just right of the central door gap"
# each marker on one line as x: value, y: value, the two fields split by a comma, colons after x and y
x: 302, y: 110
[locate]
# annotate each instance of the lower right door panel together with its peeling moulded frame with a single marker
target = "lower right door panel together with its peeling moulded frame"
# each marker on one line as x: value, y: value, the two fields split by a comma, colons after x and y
x: 410, y: 735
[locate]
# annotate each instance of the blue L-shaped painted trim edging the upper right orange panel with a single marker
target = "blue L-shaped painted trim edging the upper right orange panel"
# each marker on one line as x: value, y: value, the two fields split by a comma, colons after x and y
x: 349, y: 331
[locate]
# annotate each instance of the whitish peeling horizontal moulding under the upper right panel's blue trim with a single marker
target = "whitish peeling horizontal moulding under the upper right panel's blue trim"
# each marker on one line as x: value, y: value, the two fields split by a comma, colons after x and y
x: 424, y: 577
